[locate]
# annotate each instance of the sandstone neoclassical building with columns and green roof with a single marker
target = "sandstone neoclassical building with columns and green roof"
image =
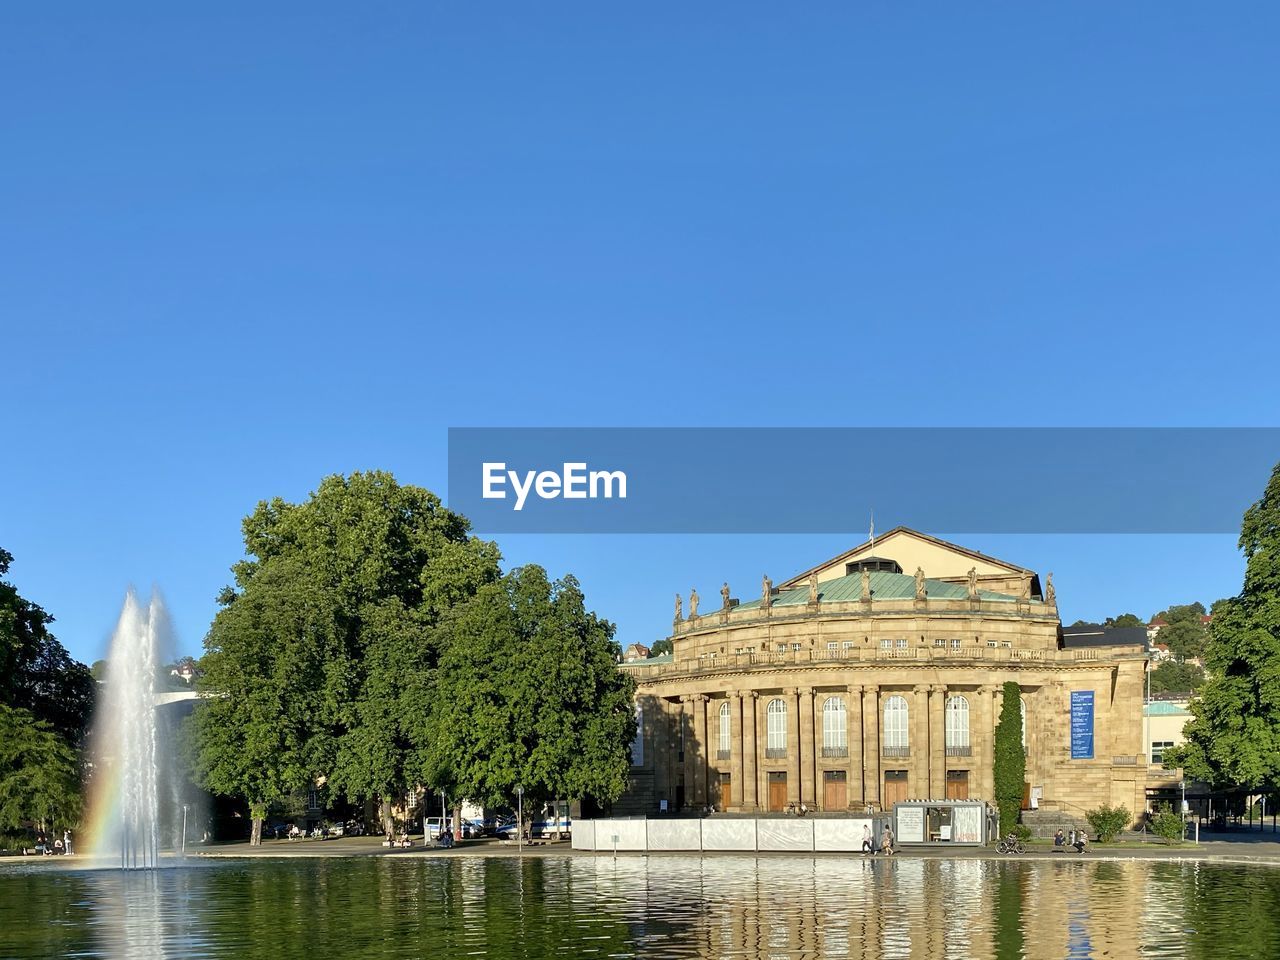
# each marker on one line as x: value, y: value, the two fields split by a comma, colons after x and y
x: 877, y: 678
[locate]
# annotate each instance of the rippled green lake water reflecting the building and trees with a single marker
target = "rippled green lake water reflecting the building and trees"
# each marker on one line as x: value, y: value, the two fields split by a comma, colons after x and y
x: 666, y: 907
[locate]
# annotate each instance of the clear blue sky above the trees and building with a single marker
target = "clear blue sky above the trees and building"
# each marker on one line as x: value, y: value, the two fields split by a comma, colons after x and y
x: 243, y: 250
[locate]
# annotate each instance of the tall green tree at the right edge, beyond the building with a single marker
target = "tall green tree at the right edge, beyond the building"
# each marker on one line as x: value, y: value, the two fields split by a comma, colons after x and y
x: 1235, y: 735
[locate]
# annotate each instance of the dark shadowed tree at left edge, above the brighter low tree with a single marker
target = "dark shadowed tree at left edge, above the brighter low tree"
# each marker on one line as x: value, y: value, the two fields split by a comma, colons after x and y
x: 36, y: 673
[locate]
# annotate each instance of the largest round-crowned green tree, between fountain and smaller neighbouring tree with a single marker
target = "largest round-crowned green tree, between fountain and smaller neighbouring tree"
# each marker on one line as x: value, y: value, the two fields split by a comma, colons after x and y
x: 331, y: 621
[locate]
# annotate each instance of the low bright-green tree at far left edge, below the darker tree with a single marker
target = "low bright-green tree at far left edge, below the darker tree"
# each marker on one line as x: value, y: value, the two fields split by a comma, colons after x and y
x: 40, y: 774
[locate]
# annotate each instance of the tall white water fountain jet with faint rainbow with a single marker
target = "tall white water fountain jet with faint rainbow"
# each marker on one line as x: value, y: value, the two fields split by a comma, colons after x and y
x: 126, y: 804
